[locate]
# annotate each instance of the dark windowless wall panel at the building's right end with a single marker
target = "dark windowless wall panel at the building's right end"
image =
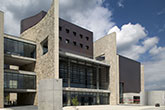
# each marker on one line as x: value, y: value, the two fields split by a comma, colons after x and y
x: 129, y: 72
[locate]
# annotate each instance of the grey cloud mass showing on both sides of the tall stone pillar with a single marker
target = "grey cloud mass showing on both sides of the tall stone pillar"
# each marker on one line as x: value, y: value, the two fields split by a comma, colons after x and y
x: 89, y: 14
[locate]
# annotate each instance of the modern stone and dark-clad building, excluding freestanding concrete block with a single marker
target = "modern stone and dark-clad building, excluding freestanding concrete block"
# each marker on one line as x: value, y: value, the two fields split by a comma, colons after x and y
x: 52, y: 48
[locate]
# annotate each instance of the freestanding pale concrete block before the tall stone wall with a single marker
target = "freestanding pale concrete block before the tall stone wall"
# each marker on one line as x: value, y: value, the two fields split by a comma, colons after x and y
x: 50, y: 94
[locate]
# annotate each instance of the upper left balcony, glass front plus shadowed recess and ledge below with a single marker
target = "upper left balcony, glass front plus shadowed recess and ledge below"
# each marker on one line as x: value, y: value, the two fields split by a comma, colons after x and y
x: 18, y: 52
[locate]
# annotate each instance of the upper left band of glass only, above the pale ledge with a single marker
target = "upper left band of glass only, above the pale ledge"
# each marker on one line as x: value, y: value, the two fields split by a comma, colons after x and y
x: 14, y: 47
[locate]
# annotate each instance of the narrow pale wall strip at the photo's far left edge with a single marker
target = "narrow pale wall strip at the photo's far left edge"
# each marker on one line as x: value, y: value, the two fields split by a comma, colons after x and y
x: 1, y: 59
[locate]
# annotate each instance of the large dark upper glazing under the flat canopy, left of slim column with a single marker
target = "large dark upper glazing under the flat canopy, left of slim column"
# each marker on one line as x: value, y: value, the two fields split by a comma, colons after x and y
x: 76, y: 74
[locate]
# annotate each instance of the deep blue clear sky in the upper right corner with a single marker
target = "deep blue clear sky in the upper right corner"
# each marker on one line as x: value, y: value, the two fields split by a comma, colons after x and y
x: 148, y: 13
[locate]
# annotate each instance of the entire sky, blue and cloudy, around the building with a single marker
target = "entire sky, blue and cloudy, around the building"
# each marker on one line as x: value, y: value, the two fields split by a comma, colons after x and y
x: 139, y: 24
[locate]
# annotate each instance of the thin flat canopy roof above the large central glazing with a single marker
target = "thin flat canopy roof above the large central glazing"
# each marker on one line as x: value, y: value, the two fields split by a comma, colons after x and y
x: 74, y: 56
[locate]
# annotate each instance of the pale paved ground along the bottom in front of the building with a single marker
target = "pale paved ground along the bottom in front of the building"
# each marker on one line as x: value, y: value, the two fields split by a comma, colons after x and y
x: 97, y: 107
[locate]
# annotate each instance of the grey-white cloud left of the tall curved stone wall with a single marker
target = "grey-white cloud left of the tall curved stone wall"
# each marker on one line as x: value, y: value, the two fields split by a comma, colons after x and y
x: 20, y: 9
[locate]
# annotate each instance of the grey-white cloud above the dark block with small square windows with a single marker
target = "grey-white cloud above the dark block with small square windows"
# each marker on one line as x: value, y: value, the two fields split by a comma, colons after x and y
x: 89, y: 14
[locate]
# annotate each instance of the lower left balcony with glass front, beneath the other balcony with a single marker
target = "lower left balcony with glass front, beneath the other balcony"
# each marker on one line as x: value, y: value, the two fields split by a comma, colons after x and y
x: 19, y: 81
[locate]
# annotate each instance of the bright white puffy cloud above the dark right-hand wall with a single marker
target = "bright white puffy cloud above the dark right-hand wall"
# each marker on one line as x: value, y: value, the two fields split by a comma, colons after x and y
x: 132, y: 40
